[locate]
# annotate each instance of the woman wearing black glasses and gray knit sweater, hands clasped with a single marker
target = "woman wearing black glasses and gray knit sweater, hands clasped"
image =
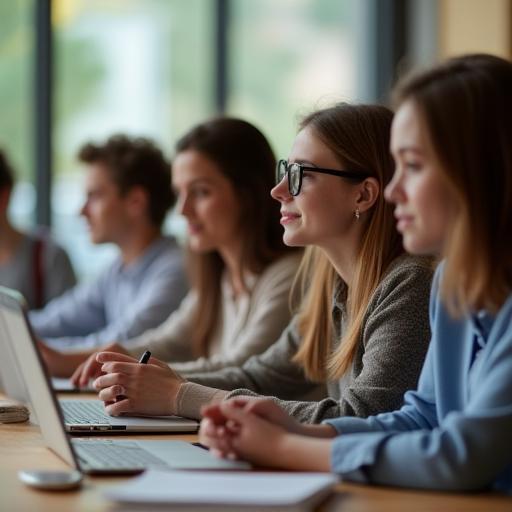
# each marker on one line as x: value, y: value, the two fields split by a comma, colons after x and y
x: 362, y: 325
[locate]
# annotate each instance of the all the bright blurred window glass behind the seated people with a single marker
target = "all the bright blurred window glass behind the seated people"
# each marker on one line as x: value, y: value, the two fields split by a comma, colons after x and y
x: 148, y: 67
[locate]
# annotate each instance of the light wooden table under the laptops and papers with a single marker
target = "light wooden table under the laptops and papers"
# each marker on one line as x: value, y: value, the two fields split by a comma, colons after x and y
x: 22, y: 447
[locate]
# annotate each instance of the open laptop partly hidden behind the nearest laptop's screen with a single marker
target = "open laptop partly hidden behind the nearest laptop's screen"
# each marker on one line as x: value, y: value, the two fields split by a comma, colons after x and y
x: 80, y: 416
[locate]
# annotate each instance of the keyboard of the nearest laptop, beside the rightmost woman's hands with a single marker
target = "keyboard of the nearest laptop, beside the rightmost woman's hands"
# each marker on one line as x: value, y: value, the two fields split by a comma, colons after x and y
x: 109, y: 455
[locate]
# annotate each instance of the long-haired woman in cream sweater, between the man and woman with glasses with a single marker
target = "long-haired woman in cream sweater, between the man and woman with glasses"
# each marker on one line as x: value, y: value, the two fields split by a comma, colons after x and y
x: 241, y: 271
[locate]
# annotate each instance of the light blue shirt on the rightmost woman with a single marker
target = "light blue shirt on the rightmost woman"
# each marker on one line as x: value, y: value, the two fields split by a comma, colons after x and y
x: 455, y: 431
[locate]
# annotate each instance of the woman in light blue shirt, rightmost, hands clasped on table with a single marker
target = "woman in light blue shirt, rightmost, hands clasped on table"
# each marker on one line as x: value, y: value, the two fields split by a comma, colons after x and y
x: 451, y: 140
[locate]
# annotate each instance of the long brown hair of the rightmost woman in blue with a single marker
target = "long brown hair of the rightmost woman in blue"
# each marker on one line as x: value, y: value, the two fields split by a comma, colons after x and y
x: 465, y: 106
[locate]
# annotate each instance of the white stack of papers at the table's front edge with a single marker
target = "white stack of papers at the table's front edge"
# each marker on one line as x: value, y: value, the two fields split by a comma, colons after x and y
x: 186, y: 490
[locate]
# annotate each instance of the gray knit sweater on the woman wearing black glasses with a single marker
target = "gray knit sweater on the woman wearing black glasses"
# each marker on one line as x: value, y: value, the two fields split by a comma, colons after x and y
x: 393, y: 344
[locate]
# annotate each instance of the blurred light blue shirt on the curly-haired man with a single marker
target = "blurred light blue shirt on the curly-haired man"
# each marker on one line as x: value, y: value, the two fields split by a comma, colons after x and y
x: 123, y: 302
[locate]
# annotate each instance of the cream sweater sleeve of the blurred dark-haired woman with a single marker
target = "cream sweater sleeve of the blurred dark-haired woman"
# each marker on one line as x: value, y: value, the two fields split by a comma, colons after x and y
x: 269, y: 316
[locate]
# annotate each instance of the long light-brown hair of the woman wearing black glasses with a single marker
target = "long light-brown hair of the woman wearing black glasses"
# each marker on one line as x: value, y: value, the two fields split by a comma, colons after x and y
x: 359, y: 136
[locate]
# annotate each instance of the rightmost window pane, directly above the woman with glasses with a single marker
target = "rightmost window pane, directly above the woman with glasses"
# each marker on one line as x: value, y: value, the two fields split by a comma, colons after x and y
x: 287, y: 58
